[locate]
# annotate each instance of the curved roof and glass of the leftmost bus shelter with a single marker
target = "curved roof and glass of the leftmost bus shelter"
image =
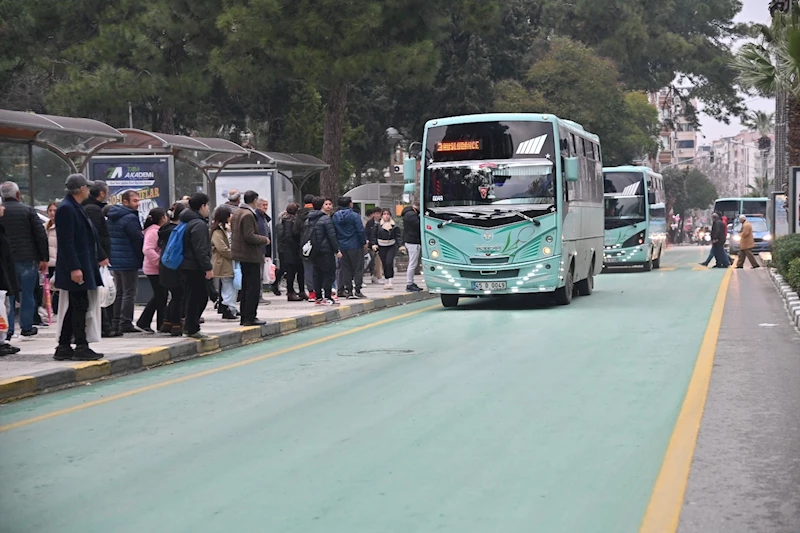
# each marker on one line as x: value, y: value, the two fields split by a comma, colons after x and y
x: 68, y: 144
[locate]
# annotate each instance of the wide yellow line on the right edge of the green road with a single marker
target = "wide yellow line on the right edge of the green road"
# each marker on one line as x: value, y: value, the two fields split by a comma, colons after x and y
x: 666, y: 501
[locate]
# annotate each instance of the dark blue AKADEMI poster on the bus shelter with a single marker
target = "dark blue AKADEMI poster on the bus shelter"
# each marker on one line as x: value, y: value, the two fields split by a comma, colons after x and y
x: 149, y: 176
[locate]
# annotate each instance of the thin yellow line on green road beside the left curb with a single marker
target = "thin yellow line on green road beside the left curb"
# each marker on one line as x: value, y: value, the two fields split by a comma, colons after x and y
x: 134, y: 392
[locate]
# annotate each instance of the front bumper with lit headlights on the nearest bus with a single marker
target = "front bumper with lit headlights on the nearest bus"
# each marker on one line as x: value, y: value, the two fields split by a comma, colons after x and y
x: 468, y: 280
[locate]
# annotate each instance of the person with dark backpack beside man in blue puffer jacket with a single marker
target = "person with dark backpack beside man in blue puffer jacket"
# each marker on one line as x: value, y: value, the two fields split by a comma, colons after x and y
x: 325, y: 250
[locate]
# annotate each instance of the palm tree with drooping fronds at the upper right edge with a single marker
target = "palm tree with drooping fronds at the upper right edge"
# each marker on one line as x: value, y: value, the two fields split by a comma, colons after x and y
x: 771, y: 67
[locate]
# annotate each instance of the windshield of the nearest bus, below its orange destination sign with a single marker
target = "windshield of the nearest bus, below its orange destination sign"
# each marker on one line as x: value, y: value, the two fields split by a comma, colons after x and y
x: 489, y: 183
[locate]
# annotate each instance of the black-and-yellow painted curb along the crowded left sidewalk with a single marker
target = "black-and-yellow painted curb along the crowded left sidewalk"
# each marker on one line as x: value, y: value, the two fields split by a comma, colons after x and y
x: 120, y: 364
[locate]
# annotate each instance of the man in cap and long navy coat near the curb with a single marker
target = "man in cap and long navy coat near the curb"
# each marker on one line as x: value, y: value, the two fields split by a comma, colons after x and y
x: 77, y: 269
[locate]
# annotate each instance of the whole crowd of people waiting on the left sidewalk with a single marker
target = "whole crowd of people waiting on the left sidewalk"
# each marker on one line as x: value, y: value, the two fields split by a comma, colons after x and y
x: 224, y: 258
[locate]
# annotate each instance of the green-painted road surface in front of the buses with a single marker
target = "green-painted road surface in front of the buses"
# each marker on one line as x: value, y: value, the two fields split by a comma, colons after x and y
x: 507, y: 416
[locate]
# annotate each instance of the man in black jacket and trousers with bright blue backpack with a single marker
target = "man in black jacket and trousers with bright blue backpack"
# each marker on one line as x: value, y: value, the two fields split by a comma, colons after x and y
x: 196, y: 267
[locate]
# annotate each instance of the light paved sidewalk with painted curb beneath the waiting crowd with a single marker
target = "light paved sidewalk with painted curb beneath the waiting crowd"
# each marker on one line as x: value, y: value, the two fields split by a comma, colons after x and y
x: 33, y: 369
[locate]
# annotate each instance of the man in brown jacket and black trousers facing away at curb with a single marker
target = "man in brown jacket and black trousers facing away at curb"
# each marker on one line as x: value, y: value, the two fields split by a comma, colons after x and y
x: 247, y: 247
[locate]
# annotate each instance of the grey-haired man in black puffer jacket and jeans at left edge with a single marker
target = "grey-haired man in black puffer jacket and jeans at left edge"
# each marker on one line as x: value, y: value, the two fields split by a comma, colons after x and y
x: 30, y: 251
